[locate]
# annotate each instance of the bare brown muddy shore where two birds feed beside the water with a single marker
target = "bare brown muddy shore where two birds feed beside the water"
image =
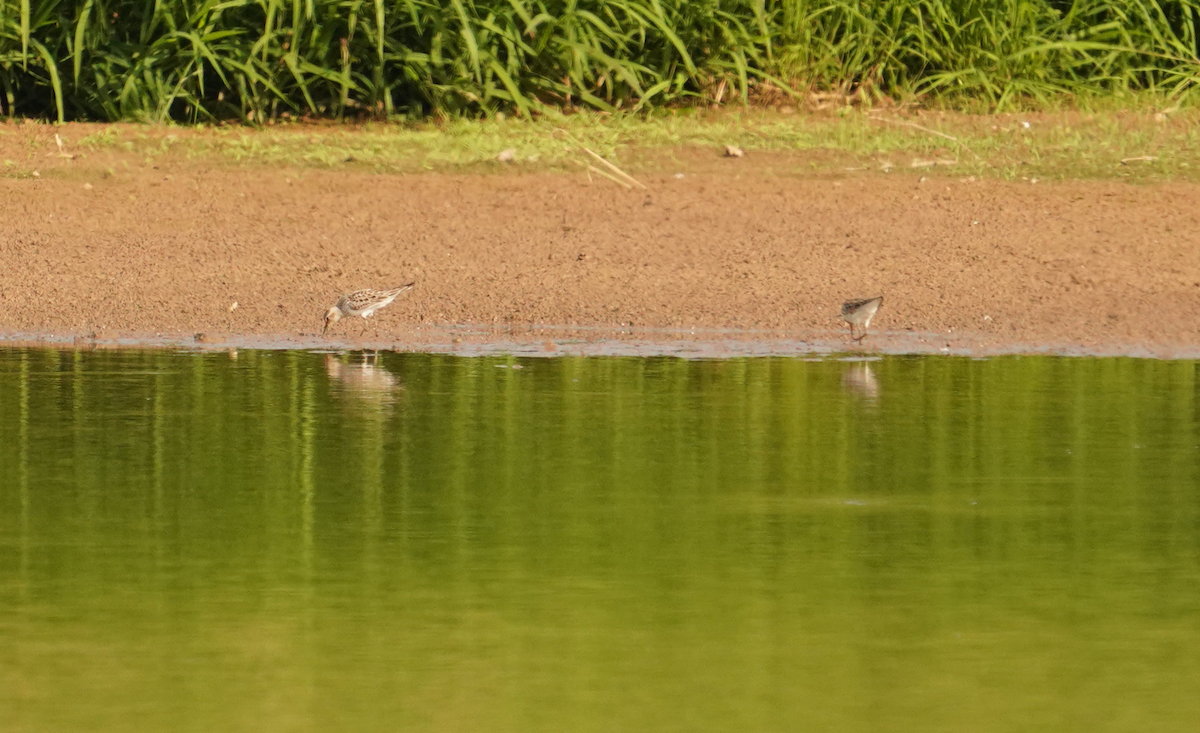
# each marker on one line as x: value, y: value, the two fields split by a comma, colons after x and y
x: 163, y: 253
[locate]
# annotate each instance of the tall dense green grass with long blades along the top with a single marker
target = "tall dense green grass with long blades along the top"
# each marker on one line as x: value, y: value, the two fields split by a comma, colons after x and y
x: 266, y: 59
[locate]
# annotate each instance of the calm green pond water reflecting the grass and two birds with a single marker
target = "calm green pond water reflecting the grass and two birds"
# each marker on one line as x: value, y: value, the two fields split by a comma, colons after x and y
x: 290, y: 542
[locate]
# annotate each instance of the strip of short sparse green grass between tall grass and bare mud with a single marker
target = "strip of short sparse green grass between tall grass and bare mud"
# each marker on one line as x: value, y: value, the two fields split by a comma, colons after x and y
x: 1066, y: 145
